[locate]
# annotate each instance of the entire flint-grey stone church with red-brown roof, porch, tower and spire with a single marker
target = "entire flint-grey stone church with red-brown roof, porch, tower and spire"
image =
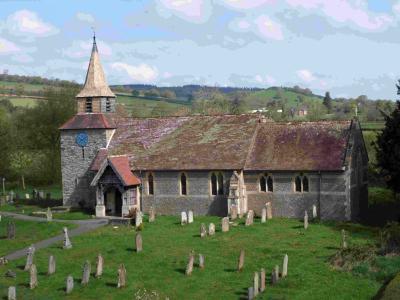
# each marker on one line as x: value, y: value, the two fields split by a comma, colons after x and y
x: 207, y: 163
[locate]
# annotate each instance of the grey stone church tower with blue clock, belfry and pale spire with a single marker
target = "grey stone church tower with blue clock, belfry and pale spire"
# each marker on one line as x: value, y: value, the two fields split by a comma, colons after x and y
x: 90, y: 130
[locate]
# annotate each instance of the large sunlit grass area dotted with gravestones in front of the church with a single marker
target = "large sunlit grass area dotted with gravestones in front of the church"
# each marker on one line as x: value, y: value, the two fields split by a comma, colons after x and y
x: 160, y: 267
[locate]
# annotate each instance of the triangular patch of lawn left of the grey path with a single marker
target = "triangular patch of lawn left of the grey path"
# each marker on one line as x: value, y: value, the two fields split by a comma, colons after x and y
x: 26, y: 233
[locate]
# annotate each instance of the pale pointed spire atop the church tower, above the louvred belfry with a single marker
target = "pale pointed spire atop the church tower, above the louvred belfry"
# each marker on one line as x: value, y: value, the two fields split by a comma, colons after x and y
x: 95, y: 83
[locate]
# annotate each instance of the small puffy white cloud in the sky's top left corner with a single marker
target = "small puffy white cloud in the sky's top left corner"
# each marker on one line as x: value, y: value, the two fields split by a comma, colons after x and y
x: 27, y: 23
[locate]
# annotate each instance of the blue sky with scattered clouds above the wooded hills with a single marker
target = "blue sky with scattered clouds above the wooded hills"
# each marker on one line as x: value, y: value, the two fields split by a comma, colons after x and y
x: 348, y: 48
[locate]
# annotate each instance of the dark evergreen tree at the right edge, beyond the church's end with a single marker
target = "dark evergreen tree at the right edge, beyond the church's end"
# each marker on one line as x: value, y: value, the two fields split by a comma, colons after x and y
x: 388, y: 149
